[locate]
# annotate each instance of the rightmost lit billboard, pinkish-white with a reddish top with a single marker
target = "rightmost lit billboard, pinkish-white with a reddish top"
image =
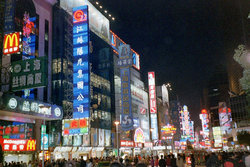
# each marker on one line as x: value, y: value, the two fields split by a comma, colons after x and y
x: 225, y: 118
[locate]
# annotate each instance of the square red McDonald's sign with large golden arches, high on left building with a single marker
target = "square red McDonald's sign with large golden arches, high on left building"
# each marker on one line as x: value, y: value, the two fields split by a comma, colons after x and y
x: 11, y: 43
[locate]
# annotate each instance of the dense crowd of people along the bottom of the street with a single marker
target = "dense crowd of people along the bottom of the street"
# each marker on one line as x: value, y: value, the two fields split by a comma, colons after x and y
x: 220, y: 159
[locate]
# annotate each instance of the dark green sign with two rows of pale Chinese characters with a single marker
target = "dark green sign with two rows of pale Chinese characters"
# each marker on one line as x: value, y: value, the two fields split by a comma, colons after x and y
x: 30, y: 73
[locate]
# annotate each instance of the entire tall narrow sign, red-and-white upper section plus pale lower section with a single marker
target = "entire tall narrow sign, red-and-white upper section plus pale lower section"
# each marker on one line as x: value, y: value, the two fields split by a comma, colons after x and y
x: 153, y: 108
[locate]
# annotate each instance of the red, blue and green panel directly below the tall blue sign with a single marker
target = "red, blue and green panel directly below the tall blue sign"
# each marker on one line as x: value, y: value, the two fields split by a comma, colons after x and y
x: 75, y: 126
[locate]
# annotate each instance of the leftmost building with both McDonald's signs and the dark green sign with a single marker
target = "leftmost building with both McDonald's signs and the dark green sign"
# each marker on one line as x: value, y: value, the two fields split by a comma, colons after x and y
x: 26, y: 90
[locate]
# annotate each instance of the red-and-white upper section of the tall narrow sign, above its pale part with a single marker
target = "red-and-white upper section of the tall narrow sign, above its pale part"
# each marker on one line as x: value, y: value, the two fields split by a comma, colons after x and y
x: 152, y: 98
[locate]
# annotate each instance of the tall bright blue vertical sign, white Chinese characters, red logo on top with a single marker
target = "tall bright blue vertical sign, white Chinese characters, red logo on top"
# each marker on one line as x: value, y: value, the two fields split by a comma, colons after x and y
x: 81, y: 76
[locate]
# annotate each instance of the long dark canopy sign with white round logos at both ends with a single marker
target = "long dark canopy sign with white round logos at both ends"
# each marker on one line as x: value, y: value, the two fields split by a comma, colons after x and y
x: 31, y: 107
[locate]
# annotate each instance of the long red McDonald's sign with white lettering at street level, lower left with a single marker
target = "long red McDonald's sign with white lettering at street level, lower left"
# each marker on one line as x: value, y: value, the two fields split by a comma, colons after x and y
x: 18, y: 144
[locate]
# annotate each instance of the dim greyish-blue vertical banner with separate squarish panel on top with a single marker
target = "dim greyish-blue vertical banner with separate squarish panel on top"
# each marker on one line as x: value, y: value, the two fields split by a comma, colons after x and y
x: 126, y: 114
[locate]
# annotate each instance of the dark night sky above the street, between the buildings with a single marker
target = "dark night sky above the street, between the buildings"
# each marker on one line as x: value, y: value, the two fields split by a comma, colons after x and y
x: 181, y: 40
